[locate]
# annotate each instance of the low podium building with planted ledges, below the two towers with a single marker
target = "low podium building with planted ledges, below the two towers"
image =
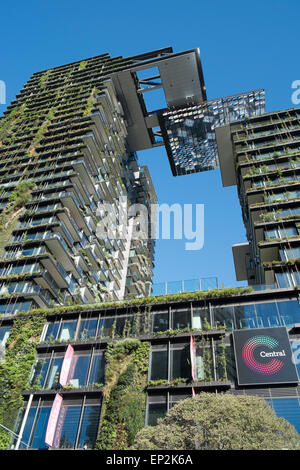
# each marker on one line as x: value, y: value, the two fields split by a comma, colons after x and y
x: 188, y: 348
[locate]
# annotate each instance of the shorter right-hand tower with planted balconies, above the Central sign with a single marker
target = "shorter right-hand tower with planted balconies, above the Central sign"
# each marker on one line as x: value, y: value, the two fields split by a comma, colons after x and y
x: 261, y: 156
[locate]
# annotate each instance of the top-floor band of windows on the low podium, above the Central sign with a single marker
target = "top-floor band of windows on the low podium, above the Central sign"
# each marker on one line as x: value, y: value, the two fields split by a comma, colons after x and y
x: 239, y: 316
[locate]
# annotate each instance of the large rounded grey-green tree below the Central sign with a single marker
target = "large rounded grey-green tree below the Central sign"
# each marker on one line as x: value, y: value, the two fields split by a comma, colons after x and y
x: 223, y: 421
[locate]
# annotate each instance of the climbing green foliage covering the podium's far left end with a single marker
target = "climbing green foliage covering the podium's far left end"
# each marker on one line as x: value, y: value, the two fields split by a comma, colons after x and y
x: 15, y: 369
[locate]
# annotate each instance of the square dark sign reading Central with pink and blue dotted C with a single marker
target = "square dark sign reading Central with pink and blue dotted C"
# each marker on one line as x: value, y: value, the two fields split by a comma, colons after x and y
x: 264, y: 356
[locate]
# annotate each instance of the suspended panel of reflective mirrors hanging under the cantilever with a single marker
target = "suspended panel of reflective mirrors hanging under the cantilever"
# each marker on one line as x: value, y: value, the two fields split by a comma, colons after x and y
x: 189, y: 132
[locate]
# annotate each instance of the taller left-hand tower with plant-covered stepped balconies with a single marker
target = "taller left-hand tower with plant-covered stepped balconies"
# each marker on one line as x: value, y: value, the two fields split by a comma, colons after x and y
x: 64, y: 156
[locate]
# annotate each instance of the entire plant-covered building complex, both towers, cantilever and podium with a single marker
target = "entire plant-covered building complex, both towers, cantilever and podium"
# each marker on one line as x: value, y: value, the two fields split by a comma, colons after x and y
x: 82, y: 368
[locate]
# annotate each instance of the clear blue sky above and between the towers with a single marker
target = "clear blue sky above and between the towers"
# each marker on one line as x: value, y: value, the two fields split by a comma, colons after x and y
x: 244, y: 46
